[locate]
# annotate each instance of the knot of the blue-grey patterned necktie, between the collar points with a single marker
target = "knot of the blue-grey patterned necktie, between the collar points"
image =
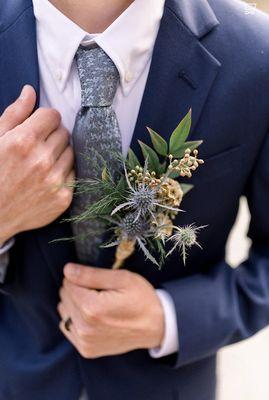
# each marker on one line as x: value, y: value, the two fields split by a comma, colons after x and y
x: 98, y: 76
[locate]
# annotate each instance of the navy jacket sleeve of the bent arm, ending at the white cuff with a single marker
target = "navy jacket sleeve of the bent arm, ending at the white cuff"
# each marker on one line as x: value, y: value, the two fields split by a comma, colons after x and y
x: 227, y: 305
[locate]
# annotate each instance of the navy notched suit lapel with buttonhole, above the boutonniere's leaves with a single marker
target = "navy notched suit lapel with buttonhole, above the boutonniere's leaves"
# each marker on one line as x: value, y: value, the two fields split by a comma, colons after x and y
x: 182, y: 70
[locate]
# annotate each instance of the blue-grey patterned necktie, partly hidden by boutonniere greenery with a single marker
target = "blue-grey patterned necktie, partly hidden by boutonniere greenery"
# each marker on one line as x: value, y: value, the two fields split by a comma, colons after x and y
x: 96, y: 132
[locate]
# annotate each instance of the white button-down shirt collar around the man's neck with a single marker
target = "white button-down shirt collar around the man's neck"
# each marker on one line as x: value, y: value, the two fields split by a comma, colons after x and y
x: 129, y: 40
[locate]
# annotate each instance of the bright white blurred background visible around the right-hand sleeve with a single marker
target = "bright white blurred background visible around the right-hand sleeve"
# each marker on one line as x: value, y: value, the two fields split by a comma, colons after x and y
x: 243, y: 368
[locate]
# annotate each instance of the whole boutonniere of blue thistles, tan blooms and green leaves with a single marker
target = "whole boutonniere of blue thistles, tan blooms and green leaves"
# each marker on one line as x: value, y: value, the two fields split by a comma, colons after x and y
x: 139, y: 206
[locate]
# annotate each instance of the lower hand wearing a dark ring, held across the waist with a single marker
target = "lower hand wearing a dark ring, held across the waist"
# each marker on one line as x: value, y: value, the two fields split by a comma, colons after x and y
x: 112, y: 312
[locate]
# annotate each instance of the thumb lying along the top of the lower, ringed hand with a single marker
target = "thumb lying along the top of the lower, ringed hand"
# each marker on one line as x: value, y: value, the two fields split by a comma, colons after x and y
x: 97, y: 278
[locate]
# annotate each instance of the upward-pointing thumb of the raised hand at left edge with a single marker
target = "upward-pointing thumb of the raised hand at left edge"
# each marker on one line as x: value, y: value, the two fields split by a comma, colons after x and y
x: 19, y: 111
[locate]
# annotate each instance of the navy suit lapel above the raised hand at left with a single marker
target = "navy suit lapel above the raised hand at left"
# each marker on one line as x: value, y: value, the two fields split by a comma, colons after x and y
x: 18, y: 53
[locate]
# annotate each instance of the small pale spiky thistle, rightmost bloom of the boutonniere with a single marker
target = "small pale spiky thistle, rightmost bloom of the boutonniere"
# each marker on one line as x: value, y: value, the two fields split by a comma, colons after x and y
x: 184, y: 238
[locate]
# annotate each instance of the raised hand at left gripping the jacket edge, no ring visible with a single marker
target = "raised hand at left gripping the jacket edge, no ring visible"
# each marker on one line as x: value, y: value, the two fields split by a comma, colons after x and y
x: 36, y: 161
